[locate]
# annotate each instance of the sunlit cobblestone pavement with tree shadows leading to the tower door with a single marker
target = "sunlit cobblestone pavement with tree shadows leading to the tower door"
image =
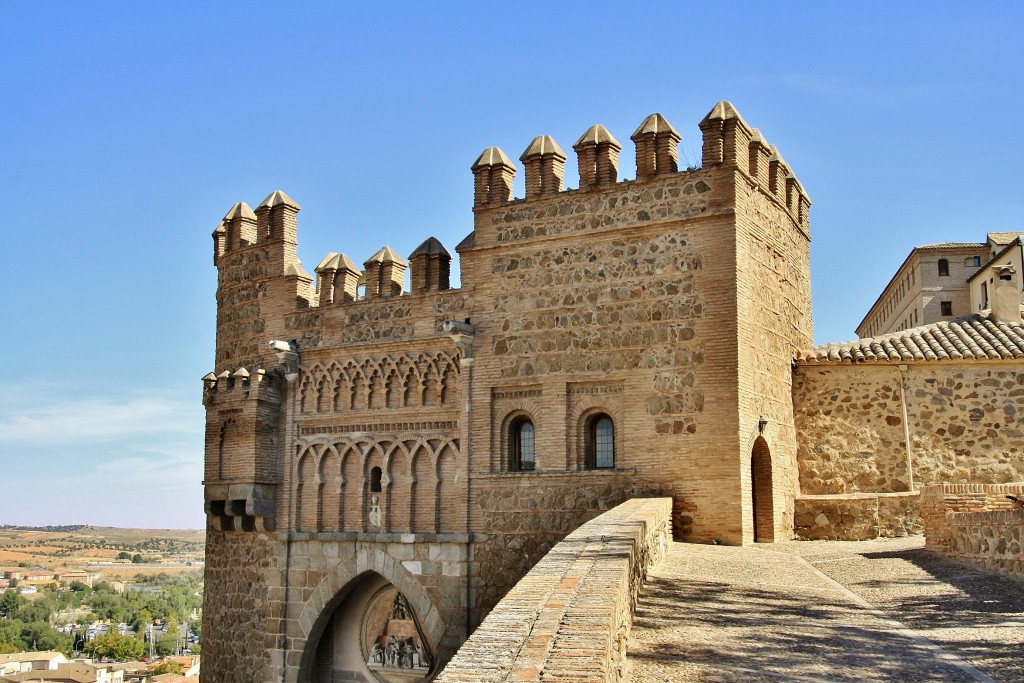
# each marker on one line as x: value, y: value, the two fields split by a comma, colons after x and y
x: 877, y: 611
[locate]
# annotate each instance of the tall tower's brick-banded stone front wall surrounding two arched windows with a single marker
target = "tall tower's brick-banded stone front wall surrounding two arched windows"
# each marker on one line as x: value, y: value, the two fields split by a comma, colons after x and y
x: 618, y: 302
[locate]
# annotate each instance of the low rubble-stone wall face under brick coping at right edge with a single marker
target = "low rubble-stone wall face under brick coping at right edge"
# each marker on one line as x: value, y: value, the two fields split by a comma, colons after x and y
x: 991, y: 540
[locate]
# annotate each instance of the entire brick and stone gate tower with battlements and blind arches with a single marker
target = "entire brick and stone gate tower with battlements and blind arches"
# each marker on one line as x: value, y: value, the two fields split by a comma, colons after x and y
x: 383, y: 464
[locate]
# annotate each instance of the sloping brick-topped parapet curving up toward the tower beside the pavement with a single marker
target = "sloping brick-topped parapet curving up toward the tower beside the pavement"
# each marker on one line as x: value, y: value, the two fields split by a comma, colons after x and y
x: 570, y: 617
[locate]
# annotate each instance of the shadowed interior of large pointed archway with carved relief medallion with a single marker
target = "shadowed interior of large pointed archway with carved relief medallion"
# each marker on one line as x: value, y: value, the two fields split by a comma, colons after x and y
x: 373, y: 636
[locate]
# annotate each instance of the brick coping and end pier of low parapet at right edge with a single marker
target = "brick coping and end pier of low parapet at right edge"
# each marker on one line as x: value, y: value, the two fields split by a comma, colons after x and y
x: 940, y: 502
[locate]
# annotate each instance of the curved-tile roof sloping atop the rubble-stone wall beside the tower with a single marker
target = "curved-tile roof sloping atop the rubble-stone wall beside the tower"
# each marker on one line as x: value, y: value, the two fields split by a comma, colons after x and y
x: 968, y: 338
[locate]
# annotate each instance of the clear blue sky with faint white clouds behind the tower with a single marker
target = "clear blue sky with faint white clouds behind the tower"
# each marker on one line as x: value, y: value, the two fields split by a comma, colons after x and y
x: 132, y: 129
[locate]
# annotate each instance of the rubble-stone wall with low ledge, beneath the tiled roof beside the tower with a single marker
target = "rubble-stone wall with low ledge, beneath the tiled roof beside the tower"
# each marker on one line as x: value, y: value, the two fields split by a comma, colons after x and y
x: 966, y: 422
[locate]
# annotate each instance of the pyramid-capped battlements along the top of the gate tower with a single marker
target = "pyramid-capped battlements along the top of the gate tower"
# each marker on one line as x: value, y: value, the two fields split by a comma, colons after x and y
x: 265, y: 241
